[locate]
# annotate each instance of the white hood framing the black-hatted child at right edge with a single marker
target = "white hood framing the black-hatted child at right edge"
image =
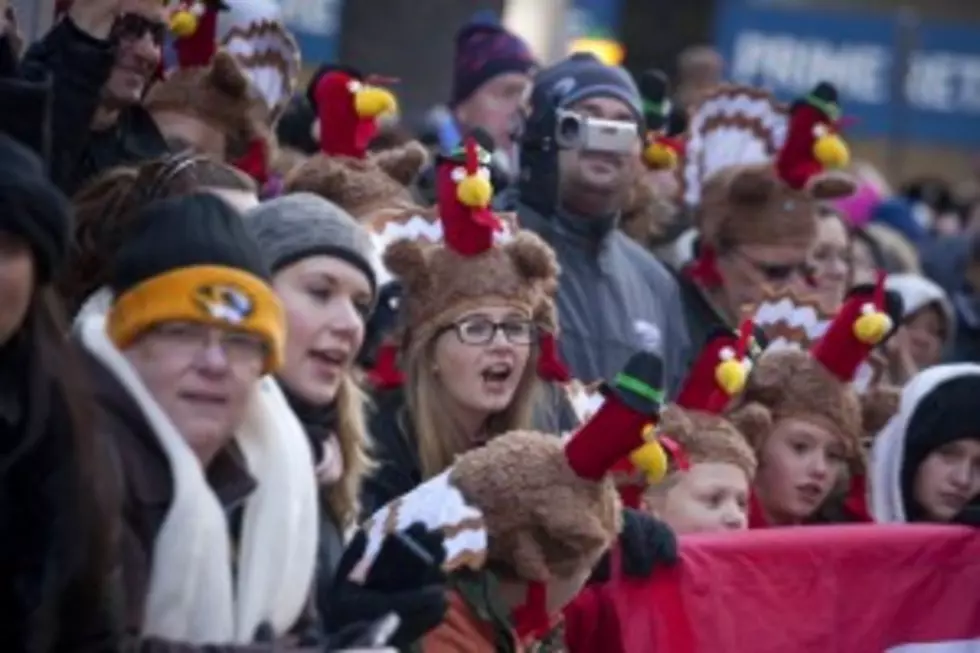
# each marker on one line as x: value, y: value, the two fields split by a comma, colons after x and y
x: 888, y: 451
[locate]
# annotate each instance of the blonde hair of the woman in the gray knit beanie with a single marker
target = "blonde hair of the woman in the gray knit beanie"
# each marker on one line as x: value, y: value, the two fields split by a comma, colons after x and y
x: 352, y: 435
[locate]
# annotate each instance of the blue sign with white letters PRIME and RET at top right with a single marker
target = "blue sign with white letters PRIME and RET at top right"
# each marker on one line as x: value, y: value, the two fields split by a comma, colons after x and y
x: 790, y: 50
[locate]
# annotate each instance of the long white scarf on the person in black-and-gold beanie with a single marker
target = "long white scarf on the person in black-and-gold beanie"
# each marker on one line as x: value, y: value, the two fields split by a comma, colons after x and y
x: 191, y: 596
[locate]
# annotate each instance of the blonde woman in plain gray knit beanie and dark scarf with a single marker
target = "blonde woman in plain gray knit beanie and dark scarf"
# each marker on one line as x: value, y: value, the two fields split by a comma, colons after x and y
x: 320, y: 260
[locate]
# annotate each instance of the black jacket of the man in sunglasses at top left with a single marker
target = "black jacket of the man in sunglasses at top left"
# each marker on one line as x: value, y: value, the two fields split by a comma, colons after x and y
x: 79, y: 66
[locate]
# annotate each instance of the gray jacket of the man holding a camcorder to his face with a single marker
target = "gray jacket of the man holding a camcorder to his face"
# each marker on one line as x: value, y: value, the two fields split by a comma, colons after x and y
x: 614, y: 298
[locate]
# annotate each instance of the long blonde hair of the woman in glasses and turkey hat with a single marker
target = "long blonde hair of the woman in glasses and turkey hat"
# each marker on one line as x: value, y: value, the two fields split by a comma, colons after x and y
x: 437, y: 437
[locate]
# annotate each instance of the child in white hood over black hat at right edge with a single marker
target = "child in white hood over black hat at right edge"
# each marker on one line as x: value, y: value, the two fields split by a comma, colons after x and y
x: 925, y: 463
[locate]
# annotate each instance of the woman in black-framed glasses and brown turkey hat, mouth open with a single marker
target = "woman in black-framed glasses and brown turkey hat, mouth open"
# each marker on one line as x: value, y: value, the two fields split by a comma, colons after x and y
x: 468, y: 350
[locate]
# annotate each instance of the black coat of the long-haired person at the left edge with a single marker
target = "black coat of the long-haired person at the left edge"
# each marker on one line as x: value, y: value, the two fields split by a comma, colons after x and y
x: 58, y: 591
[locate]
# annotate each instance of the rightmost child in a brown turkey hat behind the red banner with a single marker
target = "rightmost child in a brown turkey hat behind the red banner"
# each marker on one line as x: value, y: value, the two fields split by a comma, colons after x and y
x: 803, y: 415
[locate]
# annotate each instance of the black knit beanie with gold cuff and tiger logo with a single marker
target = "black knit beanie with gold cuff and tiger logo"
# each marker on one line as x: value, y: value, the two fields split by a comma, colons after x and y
x: 190, y: 259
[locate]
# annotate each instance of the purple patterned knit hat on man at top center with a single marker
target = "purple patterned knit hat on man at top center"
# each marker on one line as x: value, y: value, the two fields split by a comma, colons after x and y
x: 483, y: 51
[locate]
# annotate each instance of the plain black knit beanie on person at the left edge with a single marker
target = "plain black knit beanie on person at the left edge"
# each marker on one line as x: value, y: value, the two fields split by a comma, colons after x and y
x: 32, y: 207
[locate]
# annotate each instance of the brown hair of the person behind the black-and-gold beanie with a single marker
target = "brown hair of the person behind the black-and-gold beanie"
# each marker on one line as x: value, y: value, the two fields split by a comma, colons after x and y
x: 106, y: 207
